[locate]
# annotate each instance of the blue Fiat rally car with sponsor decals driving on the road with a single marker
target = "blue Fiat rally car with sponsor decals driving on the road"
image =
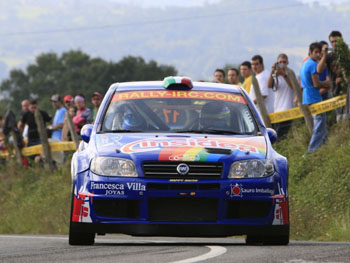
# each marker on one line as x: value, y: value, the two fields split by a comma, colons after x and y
x: 179, y: 158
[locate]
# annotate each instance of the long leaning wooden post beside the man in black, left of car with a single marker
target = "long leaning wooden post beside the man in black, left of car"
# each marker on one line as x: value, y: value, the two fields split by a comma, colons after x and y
x: 44, y: 140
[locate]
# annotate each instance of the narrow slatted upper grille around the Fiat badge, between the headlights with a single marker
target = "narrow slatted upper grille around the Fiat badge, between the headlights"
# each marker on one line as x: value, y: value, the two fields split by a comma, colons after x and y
x: 167, y: 170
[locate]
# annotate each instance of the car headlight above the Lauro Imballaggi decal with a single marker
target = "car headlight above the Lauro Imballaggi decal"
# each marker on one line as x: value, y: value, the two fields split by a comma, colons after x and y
x: 254, y: 168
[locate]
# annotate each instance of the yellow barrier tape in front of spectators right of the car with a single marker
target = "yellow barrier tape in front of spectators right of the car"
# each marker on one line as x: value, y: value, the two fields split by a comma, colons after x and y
x: 317, y: 108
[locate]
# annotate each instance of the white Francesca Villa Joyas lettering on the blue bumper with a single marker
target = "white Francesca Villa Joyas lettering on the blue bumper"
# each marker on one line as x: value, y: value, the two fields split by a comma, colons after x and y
x: 117, y: 188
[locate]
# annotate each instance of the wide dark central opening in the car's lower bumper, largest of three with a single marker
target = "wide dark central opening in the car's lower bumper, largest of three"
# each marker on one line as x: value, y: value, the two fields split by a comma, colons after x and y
x: 183, y: 209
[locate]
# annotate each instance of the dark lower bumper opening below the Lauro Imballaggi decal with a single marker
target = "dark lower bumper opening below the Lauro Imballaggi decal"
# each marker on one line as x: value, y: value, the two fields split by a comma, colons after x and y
x: 248, y: 209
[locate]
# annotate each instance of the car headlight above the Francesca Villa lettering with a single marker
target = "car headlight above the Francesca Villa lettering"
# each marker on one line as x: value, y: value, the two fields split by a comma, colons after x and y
x: 112, y: 166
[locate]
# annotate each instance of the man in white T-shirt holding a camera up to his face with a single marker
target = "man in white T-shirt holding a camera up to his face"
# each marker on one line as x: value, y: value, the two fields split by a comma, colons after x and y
x: 284, y: 94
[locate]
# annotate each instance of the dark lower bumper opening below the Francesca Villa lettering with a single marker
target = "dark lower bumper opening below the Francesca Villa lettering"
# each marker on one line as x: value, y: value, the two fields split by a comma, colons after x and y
x: 117, y: 208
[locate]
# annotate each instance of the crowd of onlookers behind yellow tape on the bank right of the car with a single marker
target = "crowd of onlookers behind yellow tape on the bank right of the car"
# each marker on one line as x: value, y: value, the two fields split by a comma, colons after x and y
x: 319, y: 79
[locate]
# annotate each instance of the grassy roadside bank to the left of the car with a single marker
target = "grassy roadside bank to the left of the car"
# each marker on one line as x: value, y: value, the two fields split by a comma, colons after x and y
x: 34, y: 200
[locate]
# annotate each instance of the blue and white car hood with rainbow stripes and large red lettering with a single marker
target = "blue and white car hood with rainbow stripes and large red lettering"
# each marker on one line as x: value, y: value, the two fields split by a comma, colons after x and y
x: 175, y: 147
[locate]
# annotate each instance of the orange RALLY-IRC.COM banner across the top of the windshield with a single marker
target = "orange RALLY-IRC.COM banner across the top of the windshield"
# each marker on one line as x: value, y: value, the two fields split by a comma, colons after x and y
x: 183, y: 94
